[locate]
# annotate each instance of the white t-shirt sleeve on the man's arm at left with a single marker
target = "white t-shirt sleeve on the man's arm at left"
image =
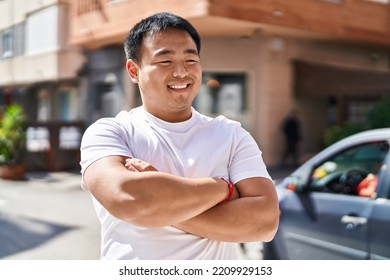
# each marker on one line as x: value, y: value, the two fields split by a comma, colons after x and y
x: 105, y: 137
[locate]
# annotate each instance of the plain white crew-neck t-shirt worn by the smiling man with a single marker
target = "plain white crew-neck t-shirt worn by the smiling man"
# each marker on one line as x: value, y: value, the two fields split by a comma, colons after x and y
x: 199, y: 147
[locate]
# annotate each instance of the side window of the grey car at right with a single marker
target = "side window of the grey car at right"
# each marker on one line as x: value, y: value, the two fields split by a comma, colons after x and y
x: 353, y: 171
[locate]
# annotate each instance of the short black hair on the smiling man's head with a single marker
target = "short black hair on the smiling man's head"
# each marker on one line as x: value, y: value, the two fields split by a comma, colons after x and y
x: 153, y: 24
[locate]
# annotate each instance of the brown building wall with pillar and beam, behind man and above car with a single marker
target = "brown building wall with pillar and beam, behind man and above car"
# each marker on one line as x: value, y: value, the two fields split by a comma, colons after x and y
x: 268, y: 63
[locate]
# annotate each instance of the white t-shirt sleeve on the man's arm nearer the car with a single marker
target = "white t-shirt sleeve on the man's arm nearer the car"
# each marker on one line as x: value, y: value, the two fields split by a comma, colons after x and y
x: 247, y: 160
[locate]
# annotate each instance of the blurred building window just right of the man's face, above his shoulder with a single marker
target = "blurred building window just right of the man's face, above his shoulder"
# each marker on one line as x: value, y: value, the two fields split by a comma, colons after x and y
x: 222, y: 94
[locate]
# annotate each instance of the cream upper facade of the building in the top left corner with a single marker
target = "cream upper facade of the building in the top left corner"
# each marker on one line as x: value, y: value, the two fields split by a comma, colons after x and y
x: 41, y: 51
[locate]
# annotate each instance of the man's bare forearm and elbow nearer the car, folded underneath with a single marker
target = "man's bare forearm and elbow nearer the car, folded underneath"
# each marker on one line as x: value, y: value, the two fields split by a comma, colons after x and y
x: 253, y: 217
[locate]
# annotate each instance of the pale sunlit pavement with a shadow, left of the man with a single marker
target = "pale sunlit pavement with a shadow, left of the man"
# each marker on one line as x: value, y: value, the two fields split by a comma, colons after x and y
x: 48, y: 216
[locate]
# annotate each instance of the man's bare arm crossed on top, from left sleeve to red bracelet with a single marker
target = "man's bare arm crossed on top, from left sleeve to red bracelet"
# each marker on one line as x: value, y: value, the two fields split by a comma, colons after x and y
x: 151, y: 199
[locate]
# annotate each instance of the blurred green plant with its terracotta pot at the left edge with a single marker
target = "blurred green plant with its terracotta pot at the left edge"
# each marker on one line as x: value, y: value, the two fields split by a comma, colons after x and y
x: 13, y: 142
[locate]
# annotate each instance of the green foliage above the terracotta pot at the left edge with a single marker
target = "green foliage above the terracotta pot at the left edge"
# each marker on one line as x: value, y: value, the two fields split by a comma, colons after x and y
x: 12, y: 135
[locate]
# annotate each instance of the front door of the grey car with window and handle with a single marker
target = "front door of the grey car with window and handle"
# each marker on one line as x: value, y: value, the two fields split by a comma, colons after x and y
x: 328, y: 220
